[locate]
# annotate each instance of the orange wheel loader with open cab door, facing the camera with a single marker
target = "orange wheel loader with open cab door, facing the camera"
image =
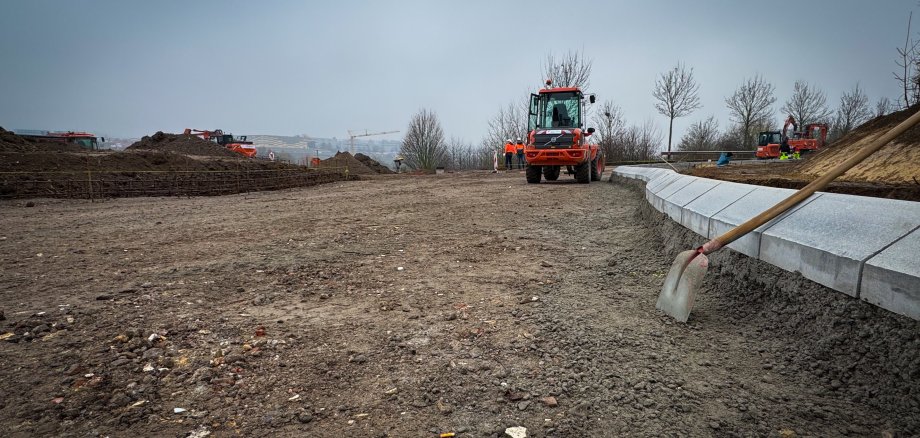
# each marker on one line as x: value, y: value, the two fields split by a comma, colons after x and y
x: 556, y: 138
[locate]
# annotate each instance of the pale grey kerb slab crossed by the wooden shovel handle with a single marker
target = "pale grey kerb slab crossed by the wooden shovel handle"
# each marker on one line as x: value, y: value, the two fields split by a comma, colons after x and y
x: 746, y: 207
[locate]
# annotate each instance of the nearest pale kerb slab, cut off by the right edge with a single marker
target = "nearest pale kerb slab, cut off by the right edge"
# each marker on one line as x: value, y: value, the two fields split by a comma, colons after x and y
x: 890, y: 279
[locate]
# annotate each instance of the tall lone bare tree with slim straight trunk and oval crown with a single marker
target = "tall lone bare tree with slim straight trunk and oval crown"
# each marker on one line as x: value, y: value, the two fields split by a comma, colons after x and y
x: 677, y: 94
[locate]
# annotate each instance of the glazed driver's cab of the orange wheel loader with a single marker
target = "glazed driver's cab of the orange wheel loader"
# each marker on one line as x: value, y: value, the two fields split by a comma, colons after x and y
x: 556, y: 108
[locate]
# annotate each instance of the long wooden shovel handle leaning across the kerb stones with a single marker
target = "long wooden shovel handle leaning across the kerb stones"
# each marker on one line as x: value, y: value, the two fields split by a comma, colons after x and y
x: 808, y: 190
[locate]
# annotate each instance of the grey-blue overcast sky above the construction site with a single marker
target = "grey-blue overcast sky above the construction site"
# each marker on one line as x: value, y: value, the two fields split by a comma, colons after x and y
x: 130, y: 68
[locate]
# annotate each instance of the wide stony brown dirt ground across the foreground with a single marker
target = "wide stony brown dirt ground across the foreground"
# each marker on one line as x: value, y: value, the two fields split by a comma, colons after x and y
x: 408, y: 307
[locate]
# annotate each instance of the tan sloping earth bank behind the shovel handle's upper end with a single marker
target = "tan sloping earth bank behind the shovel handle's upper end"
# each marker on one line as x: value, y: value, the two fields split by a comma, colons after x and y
x: 896, y: 163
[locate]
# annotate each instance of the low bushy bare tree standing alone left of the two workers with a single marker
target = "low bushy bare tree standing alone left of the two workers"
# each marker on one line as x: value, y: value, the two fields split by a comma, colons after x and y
x: 423, y: 146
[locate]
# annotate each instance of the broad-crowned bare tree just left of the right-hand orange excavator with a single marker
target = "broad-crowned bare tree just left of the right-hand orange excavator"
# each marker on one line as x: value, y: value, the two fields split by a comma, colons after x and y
x: 750, y: 105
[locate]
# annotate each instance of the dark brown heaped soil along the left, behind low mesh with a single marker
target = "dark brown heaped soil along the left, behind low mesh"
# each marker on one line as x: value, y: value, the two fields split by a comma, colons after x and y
x: 159, y: 165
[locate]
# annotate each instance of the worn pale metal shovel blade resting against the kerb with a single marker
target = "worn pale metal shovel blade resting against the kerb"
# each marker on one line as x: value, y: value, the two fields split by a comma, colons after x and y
x: 680, y: 286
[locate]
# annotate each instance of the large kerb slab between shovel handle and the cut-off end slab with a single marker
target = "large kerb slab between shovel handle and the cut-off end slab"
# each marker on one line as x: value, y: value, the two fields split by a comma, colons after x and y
x: 829, y: 238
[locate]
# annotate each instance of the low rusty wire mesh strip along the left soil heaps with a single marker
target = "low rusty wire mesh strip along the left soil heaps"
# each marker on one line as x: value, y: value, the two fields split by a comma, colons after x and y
x: 92, y: 184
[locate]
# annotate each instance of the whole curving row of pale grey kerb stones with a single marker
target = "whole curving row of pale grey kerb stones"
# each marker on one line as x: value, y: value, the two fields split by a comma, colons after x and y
x: 887, y: 276
